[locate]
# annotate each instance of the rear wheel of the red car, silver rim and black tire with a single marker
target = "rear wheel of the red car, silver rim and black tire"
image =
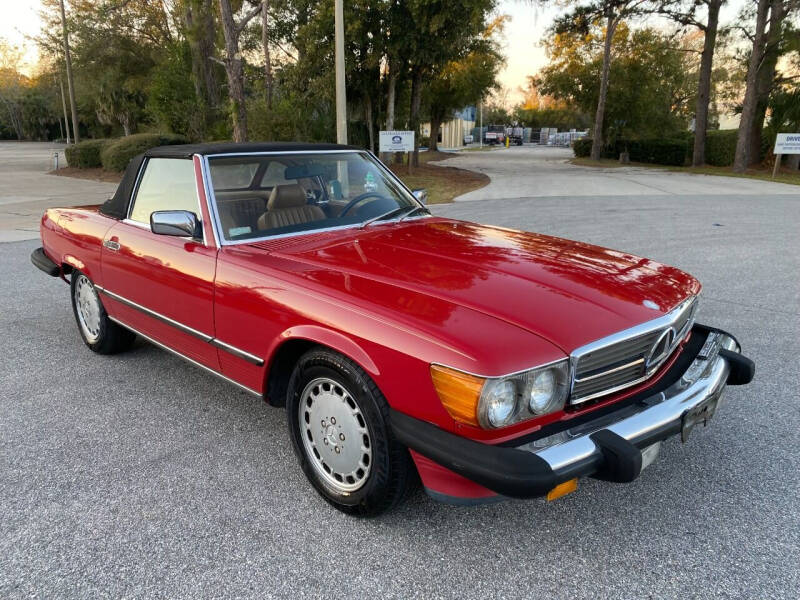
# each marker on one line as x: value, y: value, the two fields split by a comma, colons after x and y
x: 99, y: 332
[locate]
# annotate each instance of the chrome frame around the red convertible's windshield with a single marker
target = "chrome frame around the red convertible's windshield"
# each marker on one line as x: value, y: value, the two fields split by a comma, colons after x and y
x: 211, y: 198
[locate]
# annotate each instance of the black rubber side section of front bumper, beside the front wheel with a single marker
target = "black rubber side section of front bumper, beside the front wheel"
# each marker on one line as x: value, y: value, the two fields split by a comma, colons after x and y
x: 507, y: 471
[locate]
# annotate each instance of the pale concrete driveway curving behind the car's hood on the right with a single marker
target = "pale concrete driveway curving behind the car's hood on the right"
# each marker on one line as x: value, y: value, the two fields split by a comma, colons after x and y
x: 540, y: 171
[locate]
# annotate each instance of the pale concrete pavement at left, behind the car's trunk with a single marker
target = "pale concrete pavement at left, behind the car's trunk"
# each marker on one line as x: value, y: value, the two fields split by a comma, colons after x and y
x: 25, y: 190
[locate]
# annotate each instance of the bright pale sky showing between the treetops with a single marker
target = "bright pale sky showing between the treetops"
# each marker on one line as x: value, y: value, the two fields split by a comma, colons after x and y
x: 524, y: 54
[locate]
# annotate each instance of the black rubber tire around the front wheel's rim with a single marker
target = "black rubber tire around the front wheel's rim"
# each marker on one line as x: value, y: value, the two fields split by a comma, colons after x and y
x: 391, y: 474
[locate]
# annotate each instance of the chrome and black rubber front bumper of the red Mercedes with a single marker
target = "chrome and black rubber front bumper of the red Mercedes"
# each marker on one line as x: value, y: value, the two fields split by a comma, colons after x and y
x: 608, y: 446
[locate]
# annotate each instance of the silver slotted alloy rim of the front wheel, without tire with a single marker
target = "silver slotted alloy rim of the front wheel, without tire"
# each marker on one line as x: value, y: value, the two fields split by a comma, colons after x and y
x: 335, y: 435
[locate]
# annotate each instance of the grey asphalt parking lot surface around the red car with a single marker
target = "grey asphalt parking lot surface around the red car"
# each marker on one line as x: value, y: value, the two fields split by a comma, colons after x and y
x: 138, y: 475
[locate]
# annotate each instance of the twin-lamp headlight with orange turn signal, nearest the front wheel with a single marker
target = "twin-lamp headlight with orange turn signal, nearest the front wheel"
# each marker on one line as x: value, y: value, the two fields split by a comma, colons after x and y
x: 499, y: 401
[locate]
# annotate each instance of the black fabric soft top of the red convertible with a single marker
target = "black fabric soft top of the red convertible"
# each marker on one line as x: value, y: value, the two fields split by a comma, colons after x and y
x: 117, y: 205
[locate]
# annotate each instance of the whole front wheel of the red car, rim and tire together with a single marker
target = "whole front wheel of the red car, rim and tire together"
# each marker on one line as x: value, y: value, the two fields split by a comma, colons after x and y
x: 338, y: 422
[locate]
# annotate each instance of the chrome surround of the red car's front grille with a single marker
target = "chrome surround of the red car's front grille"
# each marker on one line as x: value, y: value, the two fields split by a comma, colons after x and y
x: 657, y: 324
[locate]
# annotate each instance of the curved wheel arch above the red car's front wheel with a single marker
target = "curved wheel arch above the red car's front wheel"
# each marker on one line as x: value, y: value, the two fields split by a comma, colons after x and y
x: 295, y: 342
